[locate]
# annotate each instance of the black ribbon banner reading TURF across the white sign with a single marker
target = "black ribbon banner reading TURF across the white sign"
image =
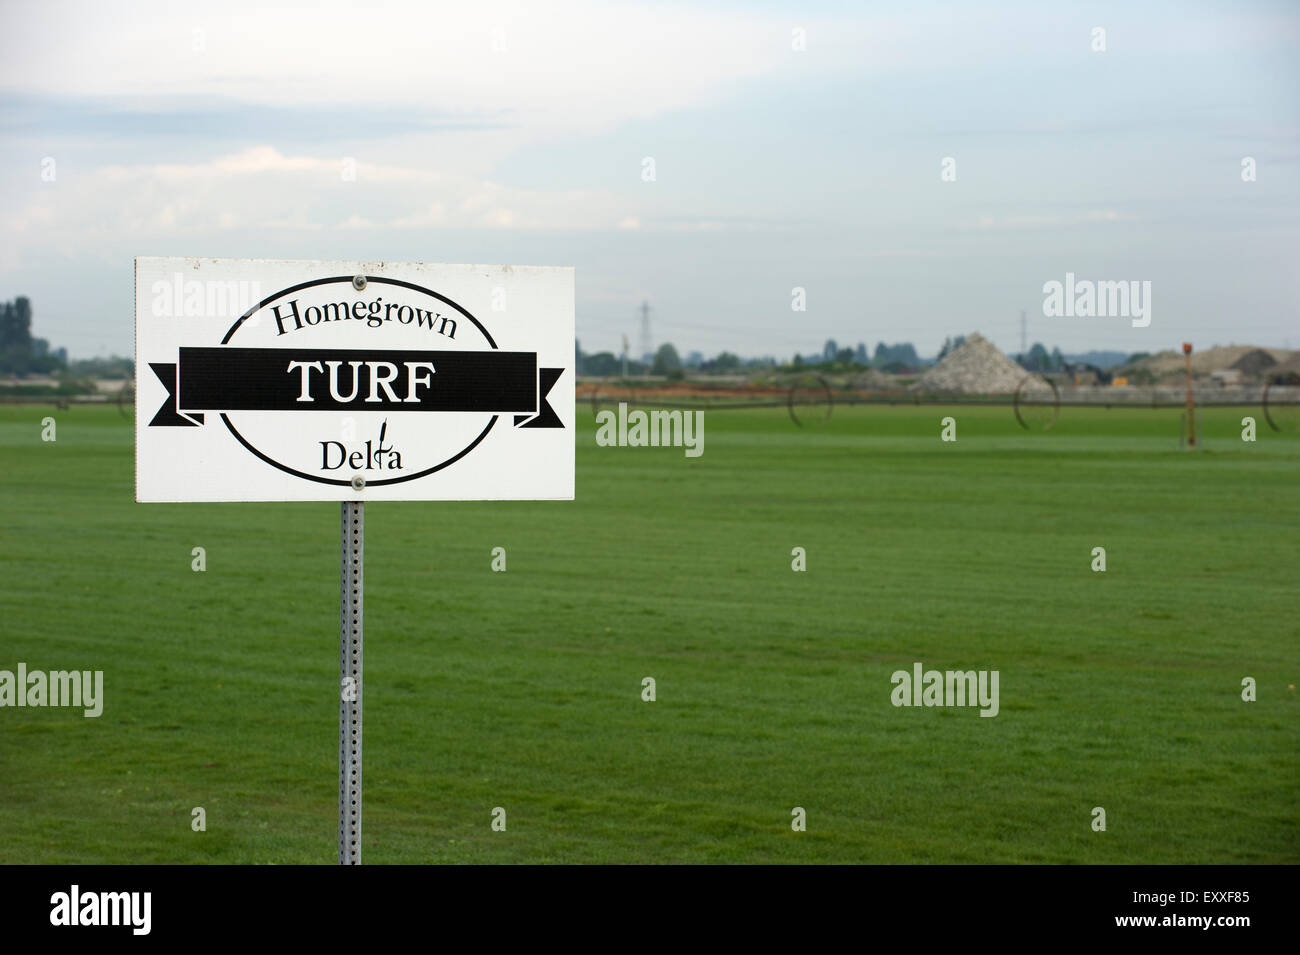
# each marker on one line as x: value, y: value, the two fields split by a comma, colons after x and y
x: 227, y: 379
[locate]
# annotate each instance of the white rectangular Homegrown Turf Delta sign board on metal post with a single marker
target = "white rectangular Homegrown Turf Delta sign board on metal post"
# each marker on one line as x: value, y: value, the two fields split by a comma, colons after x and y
x: 266, y: 380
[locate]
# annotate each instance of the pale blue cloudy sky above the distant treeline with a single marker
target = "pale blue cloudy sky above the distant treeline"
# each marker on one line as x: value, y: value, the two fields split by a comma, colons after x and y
x: 794, y: 146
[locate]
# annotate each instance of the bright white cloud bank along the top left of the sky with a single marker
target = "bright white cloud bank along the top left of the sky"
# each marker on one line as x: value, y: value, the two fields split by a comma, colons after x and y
x: 575, y: 64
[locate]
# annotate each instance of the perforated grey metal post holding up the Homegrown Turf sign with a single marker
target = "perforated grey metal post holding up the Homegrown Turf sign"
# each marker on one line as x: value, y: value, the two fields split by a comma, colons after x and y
x: 352, y: 578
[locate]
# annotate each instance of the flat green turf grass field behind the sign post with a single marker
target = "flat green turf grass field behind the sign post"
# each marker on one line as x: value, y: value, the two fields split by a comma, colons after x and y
x: 523, y: 689
